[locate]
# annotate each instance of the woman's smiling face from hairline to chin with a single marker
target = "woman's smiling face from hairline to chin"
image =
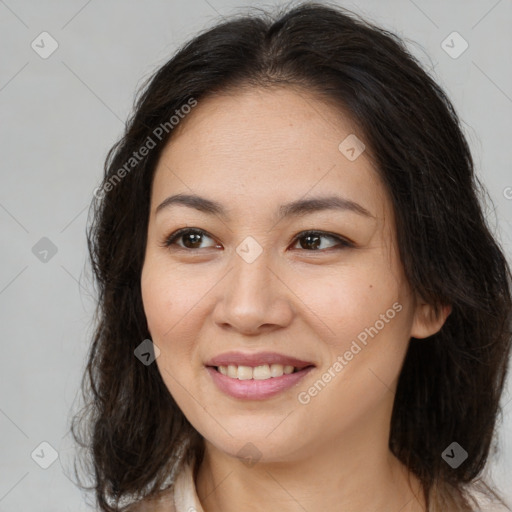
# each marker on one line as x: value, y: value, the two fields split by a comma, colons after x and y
x: 249, y: 280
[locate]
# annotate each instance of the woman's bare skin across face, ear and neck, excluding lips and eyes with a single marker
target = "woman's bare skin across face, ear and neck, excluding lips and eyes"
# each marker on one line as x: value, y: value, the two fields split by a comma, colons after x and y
x: 253, y: 150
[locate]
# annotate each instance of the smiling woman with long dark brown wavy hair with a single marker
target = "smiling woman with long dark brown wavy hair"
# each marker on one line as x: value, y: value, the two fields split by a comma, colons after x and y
x: 301, y: 305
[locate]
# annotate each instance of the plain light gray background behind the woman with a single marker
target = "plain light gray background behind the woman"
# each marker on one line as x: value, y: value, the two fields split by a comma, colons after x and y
x: 59, y: 117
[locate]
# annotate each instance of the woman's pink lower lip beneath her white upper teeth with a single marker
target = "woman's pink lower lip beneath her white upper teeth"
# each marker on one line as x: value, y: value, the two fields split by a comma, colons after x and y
x: 253, y: 389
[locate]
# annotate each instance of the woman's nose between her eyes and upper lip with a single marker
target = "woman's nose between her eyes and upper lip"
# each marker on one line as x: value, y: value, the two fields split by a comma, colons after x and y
x: 254, y: 298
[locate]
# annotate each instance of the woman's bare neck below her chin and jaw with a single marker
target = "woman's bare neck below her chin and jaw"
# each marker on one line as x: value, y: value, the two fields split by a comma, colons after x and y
x: 360, y: 474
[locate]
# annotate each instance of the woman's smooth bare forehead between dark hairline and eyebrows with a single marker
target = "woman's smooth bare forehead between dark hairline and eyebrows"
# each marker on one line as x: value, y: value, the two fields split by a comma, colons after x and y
x: 269, y: 144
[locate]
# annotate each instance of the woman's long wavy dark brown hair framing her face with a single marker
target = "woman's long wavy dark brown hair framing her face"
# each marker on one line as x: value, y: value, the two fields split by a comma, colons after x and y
x: 450, y: 384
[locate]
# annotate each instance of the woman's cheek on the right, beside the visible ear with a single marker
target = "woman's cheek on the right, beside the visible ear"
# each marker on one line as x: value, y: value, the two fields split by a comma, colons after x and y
x: 365, y: 322
